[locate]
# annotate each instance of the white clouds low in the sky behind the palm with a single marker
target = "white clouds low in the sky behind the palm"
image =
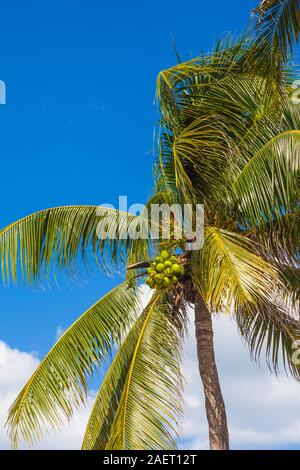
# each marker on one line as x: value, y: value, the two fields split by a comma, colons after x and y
x: 263, y: 411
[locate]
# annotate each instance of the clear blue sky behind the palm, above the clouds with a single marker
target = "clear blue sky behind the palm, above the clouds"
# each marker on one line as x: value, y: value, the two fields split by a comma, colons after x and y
x: 77, y: 127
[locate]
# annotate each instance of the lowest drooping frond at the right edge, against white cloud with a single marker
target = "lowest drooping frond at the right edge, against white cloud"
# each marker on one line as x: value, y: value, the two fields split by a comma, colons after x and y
x: 270, y: 331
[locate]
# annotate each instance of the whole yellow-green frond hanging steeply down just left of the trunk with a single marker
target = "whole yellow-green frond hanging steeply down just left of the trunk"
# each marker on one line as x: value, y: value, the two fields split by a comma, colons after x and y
x: 146, y: 400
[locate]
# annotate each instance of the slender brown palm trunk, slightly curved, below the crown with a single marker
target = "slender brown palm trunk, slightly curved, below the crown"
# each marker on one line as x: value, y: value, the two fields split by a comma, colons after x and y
x: 214, y: 404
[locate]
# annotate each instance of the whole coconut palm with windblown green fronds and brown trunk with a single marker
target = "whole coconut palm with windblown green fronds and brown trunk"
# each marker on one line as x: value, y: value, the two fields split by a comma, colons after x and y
x: 225, y: 143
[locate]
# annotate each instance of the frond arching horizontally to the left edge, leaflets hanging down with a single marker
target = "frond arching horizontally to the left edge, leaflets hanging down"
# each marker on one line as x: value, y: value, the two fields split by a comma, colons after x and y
x: 58, y: 237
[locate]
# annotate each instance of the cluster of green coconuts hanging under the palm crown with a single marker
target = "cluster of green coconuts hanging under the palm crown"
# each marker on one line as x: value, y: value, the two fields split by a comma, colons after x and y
x: 164, y: 271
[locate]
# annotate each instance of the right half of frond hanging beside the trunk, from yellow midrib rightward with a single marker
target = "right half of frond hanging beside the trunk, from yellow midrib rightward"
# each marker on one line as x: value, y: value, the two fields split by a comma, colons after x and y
x: 150, y: 402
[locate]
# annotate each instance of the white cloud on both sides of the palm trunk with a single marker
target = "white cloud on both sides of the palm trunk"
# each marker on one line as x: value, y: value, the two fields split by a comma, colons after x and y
x: 263, y: 411
